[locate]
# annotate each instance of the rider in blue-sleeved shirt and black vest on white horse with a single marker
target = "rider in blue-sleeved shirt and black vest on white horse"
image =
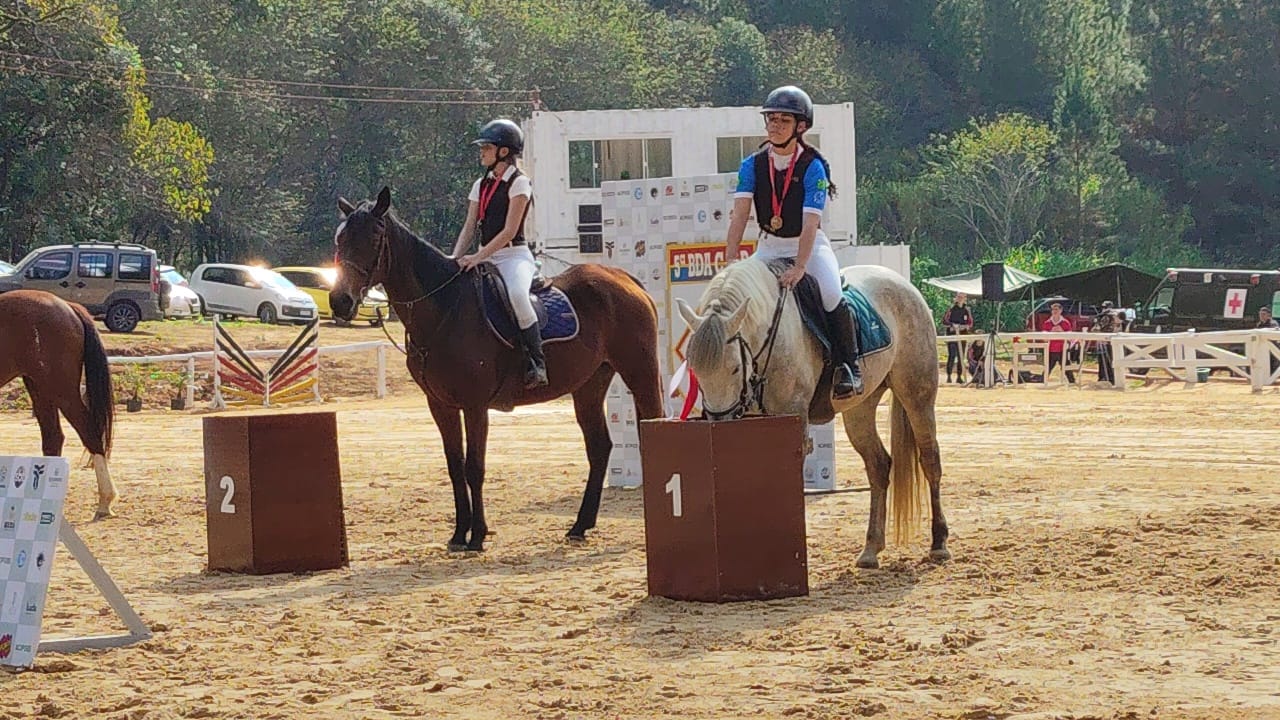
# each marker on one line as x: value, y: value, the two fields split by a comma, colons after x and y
x: 789, y: 183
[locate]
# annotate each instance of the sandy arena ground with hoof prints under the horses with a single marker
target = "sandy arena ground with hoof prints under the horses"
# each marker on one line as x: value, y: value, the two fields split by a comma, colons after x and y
x: 1117, y: 557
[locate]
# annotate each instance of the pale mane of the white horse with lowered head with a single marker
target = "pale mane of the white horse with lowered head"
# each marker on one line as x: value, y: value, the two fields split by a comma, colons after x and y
x: 748, y: 280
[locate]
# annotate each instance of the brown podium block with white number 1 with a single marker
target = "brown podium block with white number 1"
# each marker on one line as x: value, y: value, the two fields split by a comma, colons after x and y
x: 724, y: 509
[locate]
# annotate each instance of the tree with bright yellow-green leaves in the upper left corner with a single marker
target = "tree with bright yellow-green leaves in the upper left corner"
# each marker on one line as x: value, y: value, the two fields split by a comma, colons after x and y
x: 80, y: 151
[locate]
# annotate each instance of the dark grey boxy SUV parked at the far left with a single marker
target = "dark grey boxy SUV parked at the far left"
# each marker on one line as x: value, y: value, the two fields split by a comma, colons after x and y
x: 118, y: 284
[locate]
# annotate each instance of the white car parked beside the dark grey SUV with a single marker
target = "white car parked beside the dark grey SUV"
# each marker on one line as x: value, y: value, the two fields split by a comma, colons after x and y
x: 250, y: 291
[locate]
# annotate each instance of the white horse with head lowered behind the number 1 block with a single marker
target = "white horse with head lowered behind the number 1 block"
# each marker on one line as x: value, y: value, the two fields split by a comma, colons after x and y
x: 732, y: 358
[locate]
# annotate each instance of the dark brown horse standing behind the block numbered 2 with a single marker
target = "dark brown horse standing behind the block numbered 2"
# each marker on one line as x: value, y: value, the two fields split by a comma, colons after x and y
x: 464, y: 368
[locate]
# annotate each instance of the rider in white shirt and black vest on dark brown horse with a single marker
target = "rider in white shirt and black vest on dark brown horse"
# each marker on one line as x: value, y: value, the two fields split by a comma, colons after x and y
x: 497, y: 209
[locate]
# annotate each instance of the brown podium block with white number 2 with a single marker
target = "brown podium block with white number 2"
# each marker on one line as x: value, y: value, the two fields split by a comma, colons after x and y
x: 273, y: 490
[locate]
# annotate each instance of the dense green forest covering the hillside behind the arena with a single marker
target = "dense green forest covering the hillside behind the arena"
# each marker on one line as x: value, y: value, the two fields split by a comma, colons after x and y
x: 1052, y: 134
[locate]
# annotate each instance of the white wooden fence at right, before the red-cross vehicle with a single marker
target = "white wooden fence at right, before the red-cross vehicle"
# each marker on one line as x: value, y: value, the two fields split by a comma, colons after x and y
x: 1252, y: 356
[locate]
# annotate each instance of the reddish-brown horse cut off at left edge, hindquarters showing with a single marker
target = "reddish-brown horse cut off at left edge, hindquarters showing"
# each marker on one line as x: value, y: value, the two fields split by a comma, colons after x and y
x: 49, y: 344
